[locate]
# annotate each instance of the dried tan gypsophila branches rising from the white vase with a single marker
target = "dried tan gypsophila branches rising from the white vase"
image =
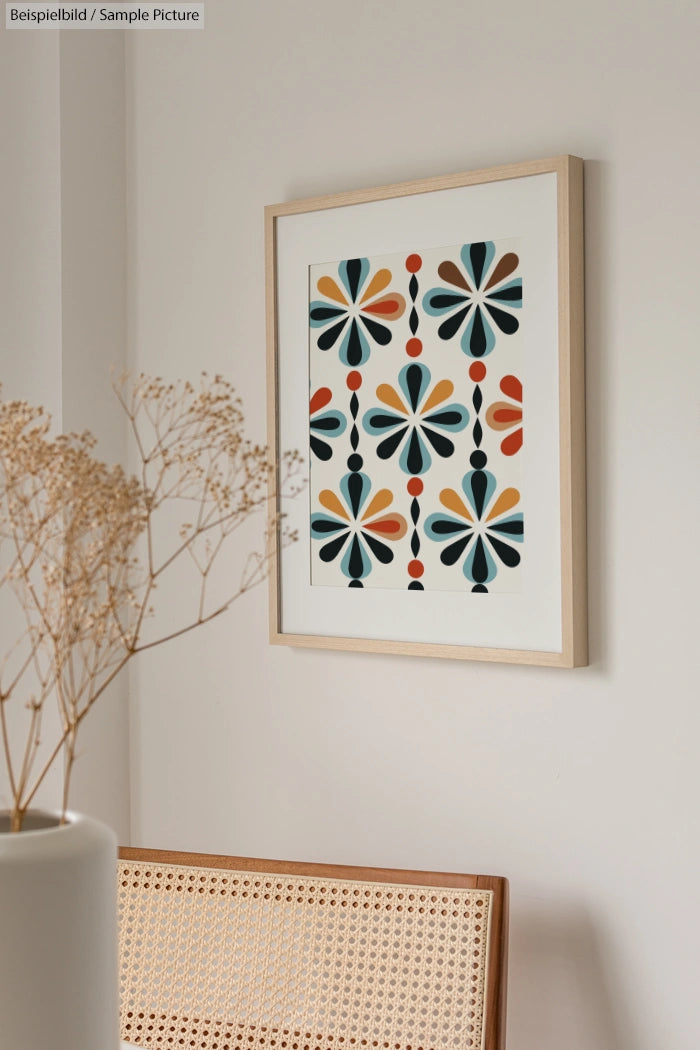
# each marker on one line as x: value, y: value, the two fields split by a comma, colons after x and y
x: 72, y: 533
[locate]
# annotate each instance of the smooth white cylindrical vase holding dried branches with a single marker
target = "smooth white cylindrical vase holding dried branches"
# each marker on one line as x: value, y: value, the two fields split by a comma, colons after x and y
x: 58, y: 935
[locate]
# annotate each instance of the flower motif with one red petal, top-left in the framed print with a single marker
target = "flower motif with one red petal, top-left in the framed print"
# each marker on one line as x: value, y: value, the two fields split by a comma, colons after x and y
x: 355, y: 311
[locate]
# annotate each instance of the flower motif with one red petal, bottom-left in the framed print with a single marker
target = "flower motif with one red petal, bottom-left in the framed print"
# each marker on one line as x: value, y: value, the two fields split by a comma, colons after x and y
x: 365, y: 524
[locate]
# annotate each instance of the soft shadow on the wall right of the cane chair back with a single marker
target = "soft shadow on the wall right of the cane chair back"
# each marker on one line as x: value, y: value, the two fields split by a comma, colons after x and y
x: 561, y: 992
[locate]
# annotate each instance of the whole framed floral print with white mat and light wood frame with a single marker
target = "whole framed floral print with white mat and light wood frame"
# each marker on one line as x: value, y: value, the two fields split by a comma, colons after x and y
x: 426, y: 353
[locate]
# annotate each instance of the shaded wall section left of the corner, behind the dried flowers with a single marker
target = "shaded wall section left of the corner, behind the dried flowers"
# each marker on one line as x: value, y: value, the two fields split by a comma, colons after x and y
x: 62, y: 302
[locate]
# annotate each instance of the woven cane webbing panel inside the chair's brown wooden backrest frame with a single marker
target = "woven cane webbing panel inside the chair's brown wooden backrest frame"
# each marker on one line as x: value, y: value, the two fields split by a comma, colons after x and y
x: 247, y: 961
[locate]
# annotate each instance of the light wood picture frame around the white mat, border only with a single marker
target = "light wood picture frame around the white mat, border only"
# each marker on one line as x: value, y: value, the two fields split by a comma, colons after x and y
x: 569, y: 172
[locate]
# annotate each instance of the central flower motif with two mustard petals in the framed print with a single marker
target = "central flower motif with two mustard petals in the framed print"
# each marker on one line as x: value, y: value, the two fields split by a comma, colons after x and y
x: 416, y: 421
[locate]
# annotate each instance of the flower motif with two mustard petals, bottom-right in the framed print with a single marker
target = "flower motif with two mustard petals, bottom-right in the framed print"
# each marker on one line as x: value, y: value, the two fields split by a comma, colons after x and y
x: 483, y: 527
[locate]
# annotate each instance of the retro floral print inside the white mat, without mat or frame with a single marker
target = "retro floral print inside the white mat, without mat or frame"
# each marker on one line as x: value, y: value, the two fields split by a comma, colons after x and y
x: 416, y: 425
